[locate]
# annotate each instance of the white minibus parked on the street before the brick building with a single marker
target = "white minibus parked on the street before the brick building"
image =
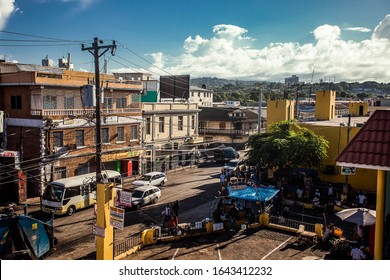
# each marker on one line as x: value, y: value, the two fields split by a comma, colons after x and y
x: 65, y: 196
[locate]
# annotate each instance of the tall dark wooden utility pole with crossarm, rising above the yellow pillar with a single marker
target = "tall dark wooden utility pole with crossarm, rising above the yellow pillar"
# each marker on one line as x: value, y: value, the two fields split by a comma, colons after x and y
x: 94, y: 50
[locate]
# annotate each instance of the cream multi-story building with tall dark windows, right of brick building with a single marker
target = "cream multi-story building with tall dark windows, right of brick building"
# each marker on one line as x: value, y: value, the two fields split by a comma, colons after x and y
x: 170, y: 134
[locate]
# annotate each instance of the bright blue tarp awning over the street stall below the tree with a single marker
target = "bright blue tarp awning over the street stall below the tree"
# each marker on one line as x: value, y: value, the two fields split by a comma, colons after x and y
x: 249, y: 193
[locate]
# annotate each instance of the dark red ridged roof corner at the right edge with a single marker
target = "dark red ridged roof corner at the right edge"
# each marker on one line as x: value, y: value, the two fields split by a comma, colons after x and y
x: 371, y: 145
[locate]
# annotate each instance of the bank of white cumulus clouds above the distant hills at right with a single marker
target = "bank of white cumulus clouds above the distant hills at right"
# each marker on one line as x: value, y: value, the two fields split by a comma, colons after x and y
x: 229, y: 54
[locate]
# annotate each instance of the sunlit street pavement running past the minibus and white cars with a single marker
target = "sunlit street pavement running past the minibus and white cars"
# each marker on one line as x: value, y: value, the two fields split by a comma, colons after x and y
x: 192, y: 187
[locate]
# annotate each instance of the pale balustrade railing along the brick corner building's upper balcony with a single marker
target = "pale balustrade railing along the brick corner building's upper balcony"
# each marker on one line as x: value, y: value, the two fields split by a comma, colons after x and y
x: 82, y: 112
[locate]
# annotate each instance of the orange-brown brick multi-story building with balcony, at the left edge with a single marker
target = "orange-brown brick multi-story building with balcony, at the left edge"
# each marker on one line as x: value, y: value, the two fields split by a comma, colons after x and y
x: 50, y: 126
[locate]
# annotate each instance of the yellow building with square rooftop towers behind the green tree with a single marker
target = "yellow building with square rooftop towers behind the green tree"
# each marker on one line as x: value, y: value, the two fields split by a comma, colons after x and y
x: 335, y: 130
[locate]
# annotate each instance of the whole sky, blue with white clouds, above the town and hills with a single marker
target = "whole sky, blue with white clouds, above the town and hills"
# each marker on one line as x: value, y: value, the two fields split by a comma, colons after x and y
x: 344, y: 40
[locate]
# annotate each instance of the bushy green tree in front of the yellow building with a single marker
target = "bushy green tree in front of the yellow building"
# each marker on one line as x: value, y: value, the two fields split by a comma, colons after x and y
x: 287, y: 145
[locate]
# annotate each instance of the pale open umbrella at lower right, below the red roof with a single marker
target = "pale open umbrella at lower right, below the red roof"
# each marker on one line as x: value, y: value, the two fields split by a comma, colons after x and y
x: 359, y: 216
